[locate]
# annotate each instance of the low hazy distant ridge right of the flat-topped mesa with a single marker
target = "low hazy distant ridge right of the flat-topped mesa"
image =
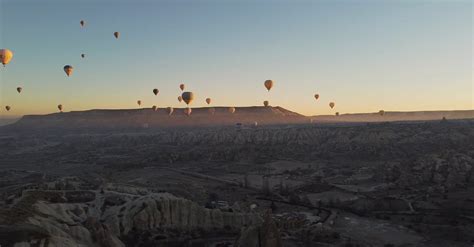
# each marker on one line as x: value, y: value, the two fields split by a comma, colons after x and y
x: 396, y: 116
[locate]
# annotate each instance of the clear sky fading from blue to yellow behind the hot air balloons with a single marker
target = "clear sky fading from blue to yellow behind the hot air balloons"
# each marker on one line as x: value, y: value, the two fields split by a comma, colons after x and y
x: 397, y: 55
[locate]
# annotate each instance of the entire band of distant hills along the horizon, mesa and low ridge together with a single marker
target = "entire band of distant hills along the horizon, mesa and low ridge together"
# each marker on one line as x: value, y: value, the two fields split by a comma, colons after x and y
x: 147, y: 118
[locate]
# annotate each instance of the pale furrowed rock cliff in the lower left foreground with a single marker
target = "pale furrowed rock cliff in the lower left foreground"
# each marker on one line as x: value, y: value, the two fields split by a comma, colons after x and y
x: 92, y: 218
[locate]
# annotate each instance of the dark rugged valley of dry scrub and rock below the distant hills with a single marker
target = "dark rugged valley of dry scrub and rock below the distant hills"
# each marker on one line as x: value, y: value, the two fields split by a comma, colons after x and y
x: 375, y: 184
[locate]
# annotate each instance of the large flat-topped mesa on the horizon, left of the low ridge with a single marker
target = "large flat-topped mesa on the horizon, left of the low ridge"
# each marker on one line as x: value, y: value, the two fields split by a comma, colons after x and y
x: 147, y: 118
